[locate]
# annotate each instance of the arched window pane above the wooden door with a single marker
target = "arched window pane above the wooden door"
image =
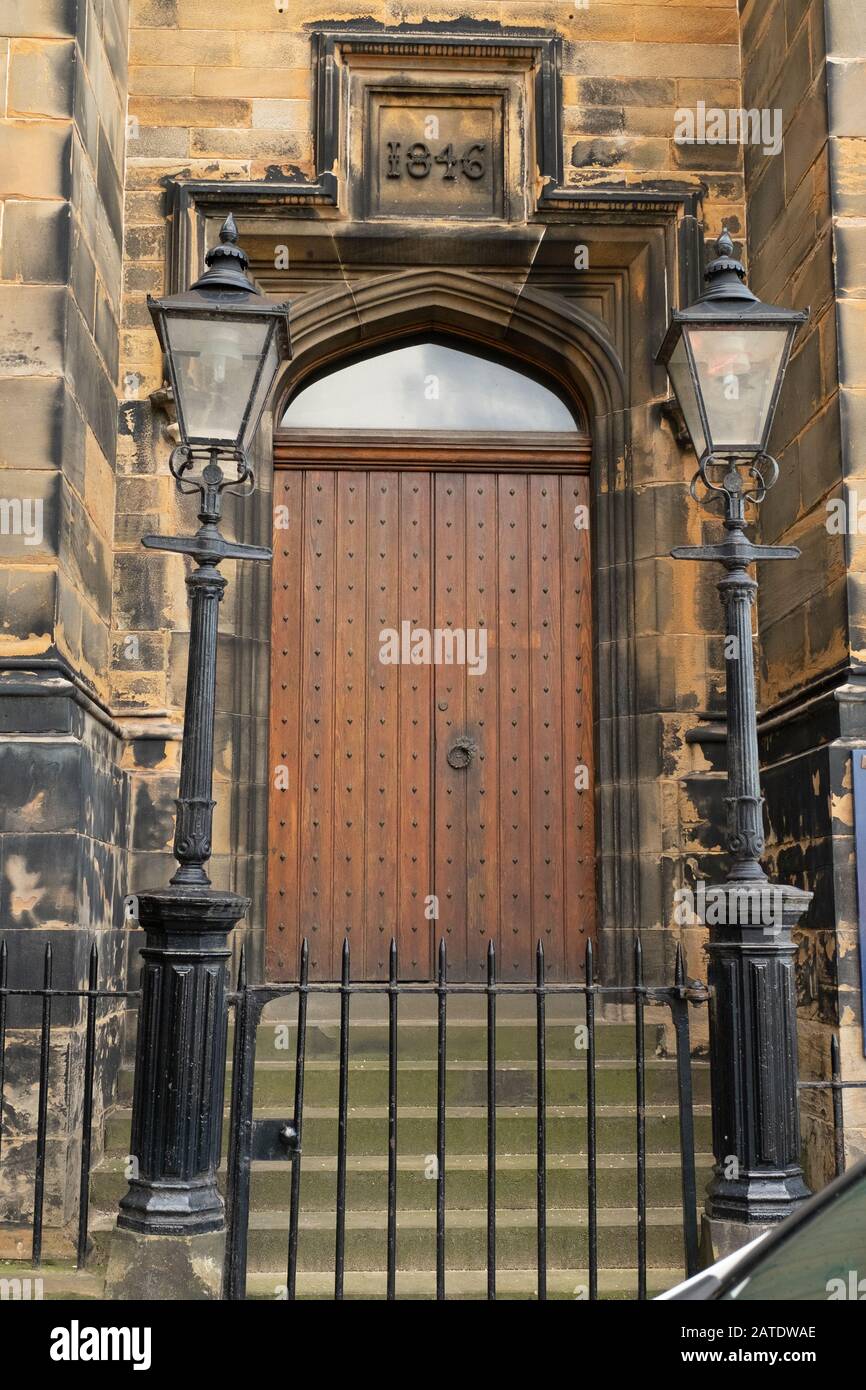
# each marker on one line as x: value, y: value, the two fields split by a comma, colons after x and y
x: 429, y: 386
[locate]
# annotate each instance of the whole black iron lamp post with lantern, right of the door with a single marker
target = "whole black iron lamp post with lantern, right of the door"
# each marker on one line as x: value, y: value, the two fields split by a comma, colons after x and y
x: 726, y: 357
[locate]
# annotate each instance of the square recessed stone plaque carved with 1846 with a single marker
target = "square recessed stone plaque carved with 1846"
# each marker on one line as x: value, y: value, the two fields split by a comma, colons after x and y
x: 436, y: 155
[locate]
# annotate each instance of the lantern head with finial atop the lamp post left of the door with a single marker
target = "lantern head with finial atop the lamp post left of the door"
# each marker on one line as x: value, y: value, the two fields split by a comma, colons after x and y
x: 223, y: 343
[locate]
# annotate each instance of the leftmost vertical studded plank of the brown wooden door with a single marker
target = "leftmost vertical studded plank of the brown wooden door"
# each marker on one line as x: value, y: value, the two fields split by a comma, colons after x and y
x: 284, y: 760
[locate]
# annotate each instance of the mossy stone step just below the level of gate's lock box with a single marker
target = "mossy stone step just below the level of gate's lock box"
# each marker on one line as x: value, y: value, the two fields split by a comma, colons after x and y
x: 466, y: 1182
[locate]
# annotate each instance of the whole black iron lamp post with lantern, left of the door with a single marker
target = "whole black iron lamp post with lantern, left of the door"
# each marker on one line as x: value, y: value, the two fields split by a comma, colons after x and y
x: 223, y: 343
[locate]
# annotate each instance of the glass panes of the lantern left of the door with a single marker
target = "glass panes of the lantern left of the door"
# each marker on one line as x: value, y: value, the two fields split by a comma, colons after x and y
x: 215, y: 363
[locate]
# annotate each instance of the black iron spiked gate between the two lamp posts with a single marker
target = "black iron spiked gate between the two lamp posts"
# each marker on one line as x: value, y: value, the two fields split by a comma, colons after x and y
x: 259, y: 1140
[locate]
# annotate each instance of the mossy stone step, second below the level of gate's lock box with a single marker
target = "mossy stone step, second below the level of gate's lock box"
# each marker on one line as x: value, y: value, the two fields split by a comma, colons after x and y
x: 465, y: 1239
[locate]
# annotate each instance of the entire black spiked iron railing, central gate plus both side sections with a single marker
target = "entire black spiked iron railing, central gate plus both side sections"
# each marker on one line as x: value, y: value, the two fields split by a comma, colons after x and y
x: 254, y: 1140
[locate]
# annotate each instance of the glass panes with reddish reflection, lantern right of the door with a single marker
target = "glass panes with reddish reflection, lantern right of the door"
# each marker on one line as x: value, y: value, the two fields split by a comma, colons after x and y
x: 737, y: 372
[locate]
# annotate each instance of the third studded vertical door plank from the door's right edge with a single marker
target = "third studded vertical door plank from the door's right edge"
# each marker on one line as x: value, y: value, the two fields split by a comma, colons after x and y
x: 515, y: 725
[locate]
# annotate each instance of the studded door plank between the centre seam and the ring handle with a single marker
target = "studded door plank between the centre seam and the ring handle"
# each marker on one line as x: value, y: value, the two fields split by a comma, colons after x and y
x: 450, y: 687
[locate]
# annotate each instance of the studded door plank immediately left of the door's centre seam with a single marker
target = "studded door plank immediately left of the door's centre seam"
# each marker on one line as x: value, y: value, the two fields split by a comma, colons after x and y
x: 414, y: 850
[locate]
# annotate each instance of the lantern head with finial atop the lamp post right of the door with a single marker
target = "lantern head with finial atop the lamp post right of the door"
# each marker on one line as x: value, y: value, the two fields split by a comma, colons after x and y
x: 726, y: 357
